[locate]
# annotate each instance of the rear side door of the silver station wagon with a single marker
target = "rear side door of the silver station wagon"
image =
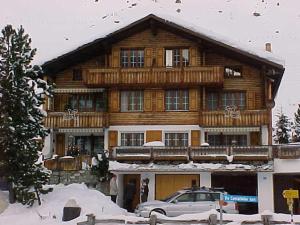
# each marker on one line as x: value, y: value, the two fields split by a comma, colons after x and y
x: 203, y: 202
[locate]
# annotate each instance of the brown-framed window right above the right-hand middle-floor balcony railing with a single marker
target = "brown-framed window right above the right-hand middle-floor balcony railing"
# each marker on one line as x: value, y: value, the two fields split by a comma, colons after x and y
x: 234, y: 99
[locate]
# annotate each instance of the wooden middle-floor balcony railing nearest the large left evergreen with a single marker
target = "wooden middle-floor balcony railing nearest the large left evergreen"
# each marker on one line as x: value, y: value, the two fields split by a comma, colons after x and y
x: 84, y: 119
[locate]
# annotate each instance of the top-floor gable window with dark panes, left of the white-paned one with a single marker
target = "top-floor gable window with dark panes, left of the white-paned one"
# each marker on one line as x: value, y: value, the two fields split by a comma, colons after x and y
x: 132, y: 58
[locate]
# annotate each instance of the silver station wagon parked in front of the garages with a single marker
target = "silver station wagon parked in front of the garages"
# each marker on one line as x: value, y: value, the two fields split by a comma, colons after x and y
x: 186, y: 201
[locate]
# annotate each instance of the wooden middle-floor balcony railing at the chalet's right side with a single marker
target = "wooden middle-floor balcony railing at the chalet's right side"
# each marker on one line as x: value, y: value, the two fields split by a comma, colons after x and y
x: 247, y: 118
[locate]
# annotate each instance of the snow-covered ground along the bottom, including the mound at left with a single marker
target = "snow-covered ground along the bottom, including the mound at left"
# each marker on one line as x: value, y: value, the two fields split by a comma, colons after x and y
x: 92, y: 201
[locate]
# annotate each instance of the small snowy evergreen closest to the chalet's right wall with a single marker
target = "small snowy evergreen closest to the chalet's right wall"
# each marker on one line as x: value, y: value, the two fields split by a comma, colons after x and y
x: 282, y: 129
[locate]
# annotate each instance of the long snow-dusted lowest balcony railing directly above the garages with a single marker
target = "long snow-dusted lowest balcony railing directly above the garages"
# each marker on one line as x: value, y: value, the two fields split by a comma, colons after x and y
x: 196, y: 154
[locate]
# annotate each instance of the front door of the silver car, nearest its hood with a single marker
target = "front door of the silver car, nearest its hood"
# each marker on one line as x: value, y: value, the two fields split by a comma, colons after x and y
x: 182, y: 204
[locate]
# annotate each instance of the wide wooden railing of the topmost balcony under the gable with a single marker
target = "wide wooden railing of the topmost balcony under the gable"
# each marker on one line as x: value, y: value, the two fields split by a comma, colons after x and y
x: 213, y: 75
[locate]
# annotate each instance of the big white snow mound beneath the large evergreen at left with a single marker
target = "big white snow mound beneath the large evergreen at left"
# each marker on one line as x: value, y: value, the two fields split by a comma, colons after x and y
x: 51, y: 210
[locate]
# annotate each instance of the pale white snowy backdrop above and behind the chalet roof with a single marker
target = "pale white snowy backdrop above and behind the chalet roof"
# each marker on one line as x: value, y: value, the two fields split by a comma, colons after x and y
x: 58, y: 26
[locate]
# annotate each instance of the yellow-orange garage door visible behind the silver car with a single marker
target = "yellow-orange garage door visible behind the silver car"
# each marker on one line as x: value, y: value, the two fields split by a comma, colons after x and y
x: 166, y: 184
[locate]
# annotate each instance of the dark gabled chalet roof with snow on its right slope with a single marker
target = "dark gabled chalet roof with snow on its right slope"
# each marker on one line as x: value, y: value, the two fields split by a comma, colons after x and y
x: 182, y: 28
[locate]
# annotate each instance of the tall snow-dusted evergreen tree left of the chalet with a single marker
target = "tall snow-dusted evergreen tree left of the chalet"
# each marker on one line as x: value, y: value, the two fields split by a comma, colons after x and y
x: 22, y: 93
